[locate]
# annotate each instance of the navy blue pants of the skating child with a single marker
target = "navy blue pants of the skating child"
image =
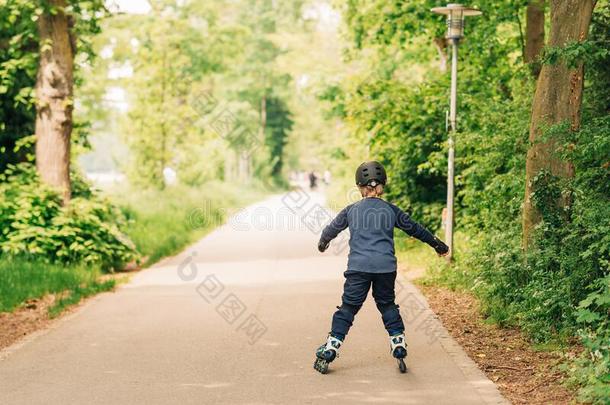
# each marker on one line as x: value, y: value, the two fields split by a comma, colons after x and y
x: 355, y: 290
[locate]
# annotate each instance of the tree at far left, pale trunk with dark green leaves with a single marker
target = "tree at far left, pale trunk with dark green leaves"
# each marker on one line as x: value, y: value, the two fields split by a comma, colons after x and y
x: 38, y: 43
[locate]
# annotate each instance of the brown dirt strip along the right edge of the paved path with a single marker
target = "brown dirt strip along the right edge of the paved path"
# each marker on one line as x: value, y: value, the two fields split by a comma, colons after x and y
x: 523, y: 375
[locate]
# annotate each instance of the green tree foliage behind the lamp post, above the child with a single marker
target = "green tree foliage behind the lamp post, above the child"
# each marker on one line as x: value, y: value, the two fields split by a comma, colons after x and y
x: 400, y: 111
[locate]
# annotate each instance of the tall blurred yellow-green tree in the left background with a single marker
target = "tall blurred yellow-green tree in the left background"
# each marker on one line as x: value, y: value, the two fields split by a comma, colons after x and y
x: 174, y: 51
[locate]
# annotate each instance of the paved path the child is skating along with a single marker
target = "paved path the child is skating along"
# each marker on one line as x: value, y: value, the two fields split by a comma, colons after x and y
x: 236, y: 319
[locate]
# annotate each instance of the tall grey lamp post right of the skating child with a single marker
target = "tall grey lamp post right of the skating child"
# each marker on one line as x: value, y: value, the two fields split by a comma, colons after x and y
x: 455, y: 31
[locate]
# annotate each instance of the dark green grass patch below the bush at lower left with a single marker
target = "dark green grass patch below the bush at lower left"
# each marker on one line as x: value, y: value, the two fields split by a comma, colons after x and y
x: 22, y: 279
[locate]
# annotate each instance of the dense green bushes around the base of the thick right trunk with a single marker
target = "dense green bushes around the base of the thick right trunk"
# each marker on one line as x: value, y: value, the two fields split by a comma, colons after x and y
x: 548, y: 293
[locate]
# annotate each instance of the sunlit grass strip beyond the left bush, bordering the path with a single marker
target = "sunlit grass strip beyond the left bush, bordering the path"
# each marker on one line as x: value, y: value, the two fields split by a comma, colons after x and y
x: 162, y: 223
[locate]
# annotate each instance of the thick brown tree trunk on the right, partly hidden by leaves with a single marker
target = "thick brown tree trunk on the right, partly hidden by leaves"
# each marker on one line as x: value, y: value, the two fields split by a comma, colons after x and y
x: 558, y: 98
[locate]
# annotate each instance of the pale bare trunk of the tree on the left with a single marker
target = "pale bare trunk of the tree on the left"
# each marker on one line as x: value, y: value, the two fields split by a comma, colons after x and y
x: 54, y: 91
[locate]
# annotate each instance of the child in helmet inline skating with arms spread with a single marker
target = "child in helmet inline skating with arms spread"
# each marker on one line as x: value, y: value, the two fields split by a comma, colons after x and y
x: 371, y: 262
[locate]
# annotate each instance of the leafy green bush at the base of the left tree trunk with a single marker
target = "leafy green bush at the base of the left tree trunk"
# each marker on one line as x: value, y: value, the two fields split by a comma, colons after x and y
x: 35, y: 224
